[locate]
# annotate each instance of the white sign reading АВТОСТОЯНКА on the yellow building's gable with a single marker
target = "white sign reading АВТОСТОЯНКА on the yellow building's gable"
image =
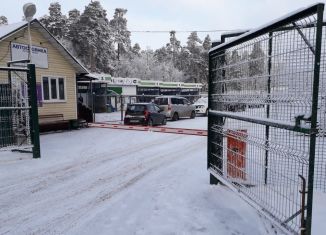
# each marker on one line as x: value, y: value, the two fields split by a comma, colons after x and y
x: 39, y: 54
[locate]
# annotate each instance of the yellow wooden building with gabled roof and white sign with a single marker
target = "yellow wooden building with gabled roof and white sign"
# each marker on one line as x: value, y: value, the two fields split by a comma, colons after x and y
x: 56, y: 68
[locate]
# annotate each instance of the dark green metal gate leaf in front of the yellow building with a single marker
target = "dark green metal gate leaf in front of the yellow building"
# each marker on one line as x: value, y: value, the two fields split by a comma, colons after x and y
x: 18, y: 110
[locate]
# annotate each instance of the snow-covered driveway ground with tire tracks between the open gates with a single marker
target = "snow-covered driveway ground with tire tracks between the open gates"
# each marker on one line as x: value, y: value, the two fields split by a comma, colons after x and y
x: 105, y: 181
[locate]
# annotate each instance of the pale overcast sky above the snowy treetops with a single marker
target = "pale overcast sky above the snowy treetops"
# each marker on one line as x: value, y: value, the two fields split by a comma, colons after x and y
x: 179, y: 15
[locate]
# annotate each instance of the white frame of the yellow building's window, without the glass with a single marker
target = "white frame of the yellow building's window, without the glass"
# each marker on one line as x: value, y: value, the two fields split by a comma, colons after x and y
x: 57, y: 100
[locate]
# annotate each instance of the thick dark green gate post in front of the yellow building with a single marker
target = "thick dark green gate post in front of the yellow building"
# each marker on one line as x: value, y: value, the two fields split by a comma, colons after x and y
x: 35, y: 132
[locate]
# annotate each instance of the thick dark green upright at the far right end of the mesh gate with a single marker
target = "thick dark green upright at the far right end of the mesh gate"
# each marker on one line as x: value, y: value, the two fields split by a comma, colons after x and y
x: 320, y: 10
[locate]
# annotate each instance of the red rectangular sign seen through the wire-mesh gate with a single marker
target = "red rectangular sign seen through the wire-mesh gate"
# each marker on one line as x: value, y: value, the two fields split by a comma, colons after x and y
x: 236, y: 154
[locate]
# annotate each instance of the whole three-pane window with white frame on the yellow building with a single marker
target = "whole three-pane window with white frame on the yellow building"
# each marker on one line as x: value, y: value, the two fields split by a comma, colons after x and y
x: 53, y: 88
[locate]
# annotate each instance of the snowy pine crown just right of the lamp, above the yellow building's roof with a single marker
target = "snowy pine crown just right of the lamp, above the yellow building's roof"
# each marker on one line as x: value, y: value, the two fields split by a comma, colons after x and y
x: 55, y: 22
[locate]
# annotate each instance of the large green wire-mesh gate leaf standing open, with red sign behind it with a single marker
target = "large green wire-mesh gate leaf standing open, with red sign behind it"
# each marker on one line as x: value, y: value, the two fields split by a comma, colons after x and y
x: 266, y: 124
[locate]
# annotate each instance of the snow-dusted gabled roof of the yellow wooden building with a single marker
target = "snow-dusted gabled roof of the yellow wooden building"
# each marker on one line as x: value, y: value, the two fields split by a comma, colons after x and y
x: 8, y: 30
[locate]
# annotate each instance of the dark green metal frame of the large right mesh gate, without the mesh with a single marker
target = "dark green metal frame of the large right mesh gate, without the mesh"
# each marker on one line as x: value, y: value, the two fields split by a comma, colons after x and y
x: 218, y: 48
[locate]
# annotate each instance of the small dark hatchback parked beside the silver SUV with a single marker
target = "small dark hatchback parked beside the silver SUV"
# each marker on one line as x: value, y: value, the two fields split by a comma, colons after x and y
x: 145, y: 114
